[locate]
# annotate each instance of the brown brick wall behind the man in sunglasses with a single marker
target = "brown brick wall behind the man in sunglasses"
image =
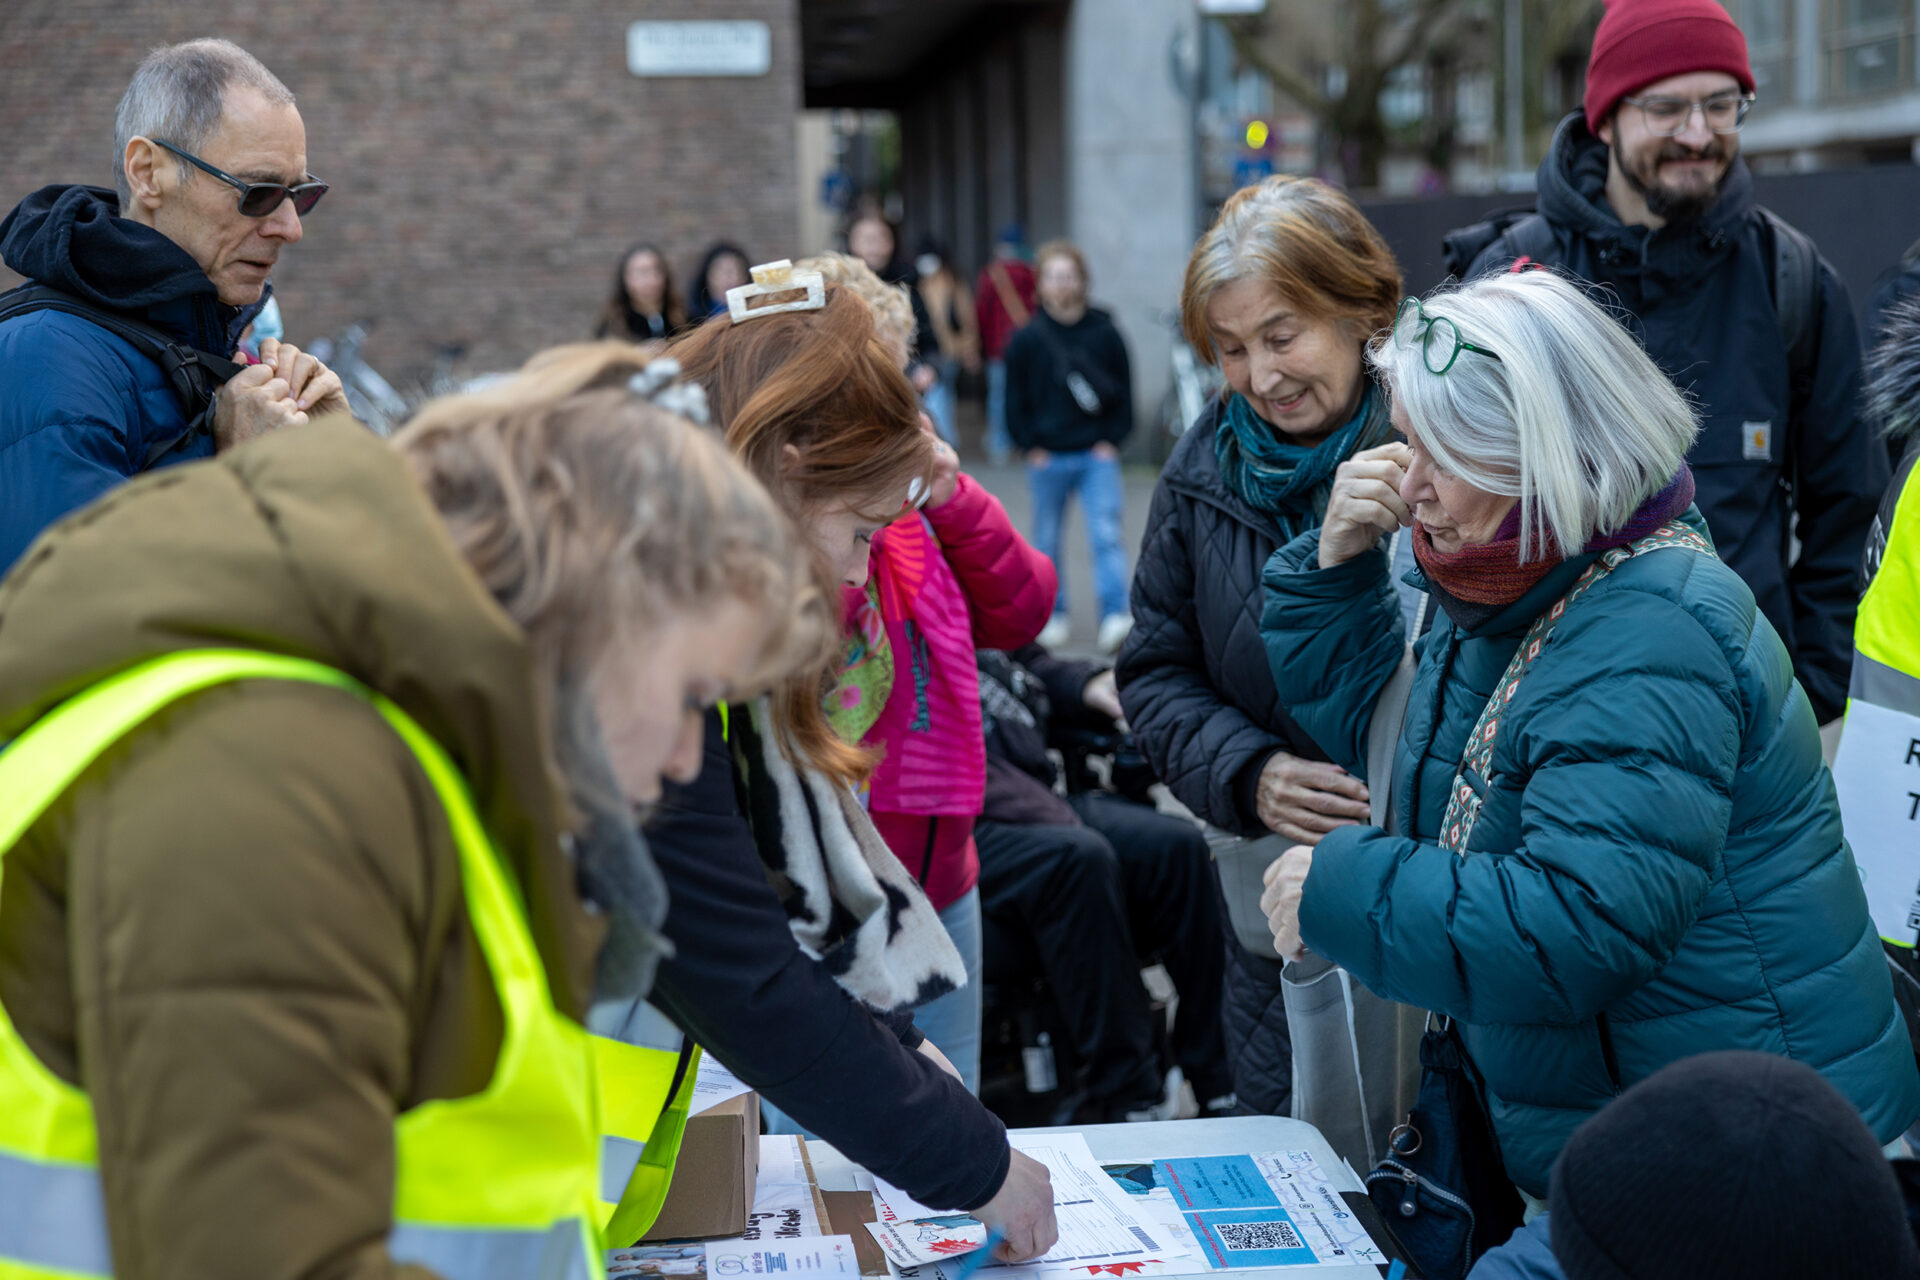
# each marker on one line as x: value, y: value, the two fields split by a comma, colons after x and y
x: 489, y: 158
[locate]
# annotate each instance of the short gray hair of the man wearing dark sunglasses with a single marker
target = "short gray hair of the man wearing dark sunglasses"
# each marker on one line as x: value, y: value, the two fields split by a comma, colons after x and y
x: 180, y: 95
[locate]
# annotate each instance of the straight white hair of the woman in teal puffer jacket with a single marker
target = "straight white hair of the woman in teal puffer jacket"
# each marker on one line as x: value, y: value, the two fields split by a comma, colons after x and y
x: 1573, y: 419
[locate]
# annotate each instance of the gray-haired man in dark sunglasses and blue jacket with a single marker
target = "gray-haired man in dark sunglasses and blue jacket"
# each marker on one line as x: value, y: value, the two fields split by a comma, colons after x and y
x: 118, y: 354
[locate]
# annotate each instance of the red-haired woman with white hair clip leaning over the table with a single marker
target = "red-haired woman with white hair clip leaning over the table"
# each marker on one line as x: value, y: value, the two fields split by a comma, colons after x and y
x: 802, y: 943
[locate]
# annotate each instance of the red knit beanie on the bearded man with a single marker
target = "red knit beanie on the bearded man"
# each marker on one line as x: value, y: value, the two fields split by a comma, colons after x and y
x: 1646, y: 41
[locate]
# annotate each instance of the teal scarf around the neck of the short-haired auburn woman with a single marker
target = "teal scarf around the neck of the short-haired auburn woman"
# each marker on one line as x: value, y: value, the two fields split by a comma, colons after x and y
x: 1285, y: 481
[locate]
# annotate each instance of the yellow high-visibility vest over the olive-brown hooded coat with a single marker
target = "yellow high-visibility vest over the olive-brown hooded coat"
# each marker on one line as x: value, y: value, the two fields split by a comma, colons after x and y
x: 494, y: 1187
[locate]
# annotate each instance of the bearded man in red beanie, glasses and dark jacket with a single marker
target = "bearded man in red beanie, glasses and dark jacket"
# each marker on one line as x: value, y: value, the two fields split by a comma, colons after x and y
x: 1644, y: 193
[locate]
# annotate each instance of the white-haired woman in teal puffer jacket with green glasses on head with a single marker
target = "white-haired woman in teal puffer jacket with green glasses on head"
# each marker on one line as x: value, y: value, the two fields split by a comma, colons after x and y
x: 1620, y: 841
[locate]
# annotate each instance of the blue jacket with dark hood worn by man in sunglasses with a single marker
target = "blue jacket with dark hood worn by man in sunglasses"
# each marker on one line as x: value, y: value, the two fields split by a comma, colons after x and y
x: 80, y: 408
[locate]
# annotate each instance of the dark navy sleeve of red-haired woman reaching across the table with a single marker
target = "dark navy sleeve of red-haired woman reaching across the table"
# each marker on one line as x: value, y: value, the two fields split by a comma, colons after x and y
x: 742, y: 987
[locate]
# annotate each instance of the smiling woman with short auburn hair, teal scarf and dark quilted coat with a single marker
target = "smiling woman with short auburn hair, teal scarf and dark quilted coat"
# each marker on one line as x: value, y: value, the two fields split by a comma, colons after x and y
x: 1282, y: 295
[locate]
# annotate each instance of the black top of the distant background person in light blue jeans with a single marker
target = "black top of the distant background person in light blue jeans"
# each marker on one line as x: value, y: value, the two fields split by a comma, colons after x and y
x: 1042, y: 412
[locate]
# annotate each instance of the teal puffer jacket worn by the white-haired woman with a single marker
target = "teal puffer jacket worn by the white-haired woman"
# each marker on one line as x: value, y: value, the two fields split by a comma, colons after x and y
x: 1658, y: 866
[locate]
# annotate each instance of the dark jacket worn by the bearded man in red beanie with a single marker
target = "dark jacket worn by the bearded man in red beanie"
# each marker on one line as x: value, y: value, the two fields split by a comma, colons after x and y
x: 1773, y: 448
